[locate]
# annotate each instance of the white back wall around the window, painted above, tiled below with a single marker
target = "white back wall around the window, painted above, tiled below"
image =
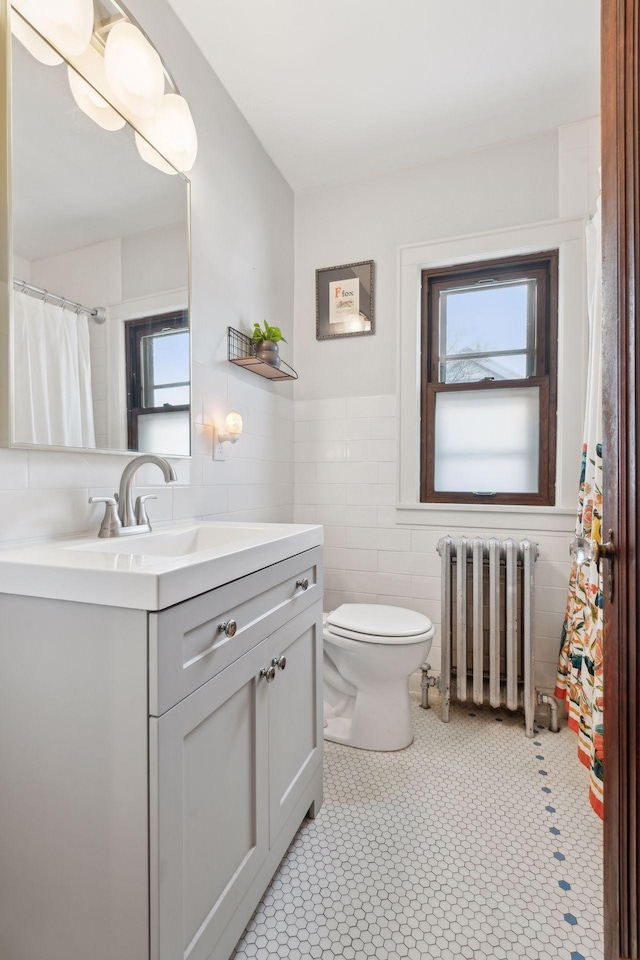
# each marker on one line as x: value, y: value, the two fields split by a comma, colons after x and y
x: 347, y: 399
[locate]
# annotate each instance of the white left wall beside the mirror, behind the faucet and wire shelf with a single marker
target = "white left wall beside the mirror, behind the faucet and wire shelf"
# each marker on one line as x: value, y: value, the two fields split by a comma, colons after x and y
x: 242, y: 270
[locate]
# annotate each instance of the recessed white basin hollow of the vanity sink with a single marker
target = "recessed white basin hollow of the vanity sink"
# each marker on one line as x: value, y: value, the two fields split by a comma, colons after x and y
x: 182, y: 543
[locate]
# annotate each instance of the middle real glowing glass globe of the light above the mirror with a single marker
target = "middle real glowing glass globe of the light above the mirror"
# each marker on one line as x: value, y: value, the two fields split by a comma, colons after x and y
x: 134, y: 70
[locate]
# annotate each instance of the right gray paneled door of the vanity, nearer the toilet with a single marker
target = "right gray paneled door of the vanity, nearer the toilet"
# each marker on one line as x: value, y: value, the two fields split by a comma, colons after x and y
x: 295, y: 713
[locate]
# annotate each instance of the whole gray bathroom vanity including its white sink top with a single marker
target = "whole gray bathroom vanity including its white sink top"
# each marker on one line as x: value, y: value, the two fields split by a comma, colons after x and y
x: 160, y: 736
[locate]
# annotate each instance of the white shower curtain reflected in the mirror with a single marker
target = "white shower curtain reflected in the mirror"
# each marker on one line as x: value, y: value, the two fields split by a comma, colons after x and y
x: 52, y: 375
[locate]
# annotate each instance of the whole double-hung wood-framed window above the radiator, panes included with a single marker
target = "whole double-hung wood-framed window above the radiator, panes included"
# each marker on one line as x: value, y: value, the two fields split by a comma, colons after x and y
x: 489, y: 360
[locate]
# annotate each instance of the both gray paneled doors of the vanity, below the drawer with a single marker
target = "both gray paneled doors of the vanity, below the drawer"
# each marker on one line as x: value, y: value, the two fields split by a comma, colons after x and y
x: 229, y: 766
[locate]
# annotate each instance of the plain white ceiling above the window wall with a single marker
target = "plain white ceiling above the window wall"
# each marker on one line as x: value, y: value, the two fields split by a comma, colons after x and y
x: 342, y: 89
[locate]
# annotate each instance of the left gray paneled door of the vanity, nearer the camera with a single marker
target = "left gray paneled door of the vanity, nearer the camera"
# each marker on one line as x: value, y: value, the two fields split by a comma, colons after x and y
x: 208, y: 807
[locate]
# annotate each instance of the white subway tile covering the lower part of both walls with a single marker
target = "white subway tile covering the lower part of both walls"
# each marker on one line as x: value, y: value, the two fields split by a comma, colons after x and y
x: 311, y: 461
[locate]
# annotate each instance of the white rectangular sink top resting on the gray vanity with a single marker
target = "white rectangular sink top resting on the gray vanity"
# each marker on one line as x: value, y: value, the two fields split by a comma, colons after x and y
x: 151, y: 571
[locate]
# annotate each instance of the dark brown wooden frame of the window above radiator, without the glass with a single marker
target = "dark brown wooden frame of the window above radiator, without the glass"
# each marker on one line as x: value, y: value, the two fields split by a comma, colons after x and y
x: 543, y: 267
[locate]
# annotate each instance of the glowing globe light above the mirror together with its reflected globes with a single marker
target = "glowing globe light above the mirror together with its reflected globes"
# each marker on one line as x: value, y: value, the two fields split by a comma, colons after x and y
x: 115, y: 64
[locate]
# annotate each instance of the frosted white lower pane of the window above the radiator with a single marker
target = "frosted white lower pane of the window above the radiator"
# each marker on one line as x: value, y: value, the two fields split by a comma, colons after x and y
x: 487, y: 441
